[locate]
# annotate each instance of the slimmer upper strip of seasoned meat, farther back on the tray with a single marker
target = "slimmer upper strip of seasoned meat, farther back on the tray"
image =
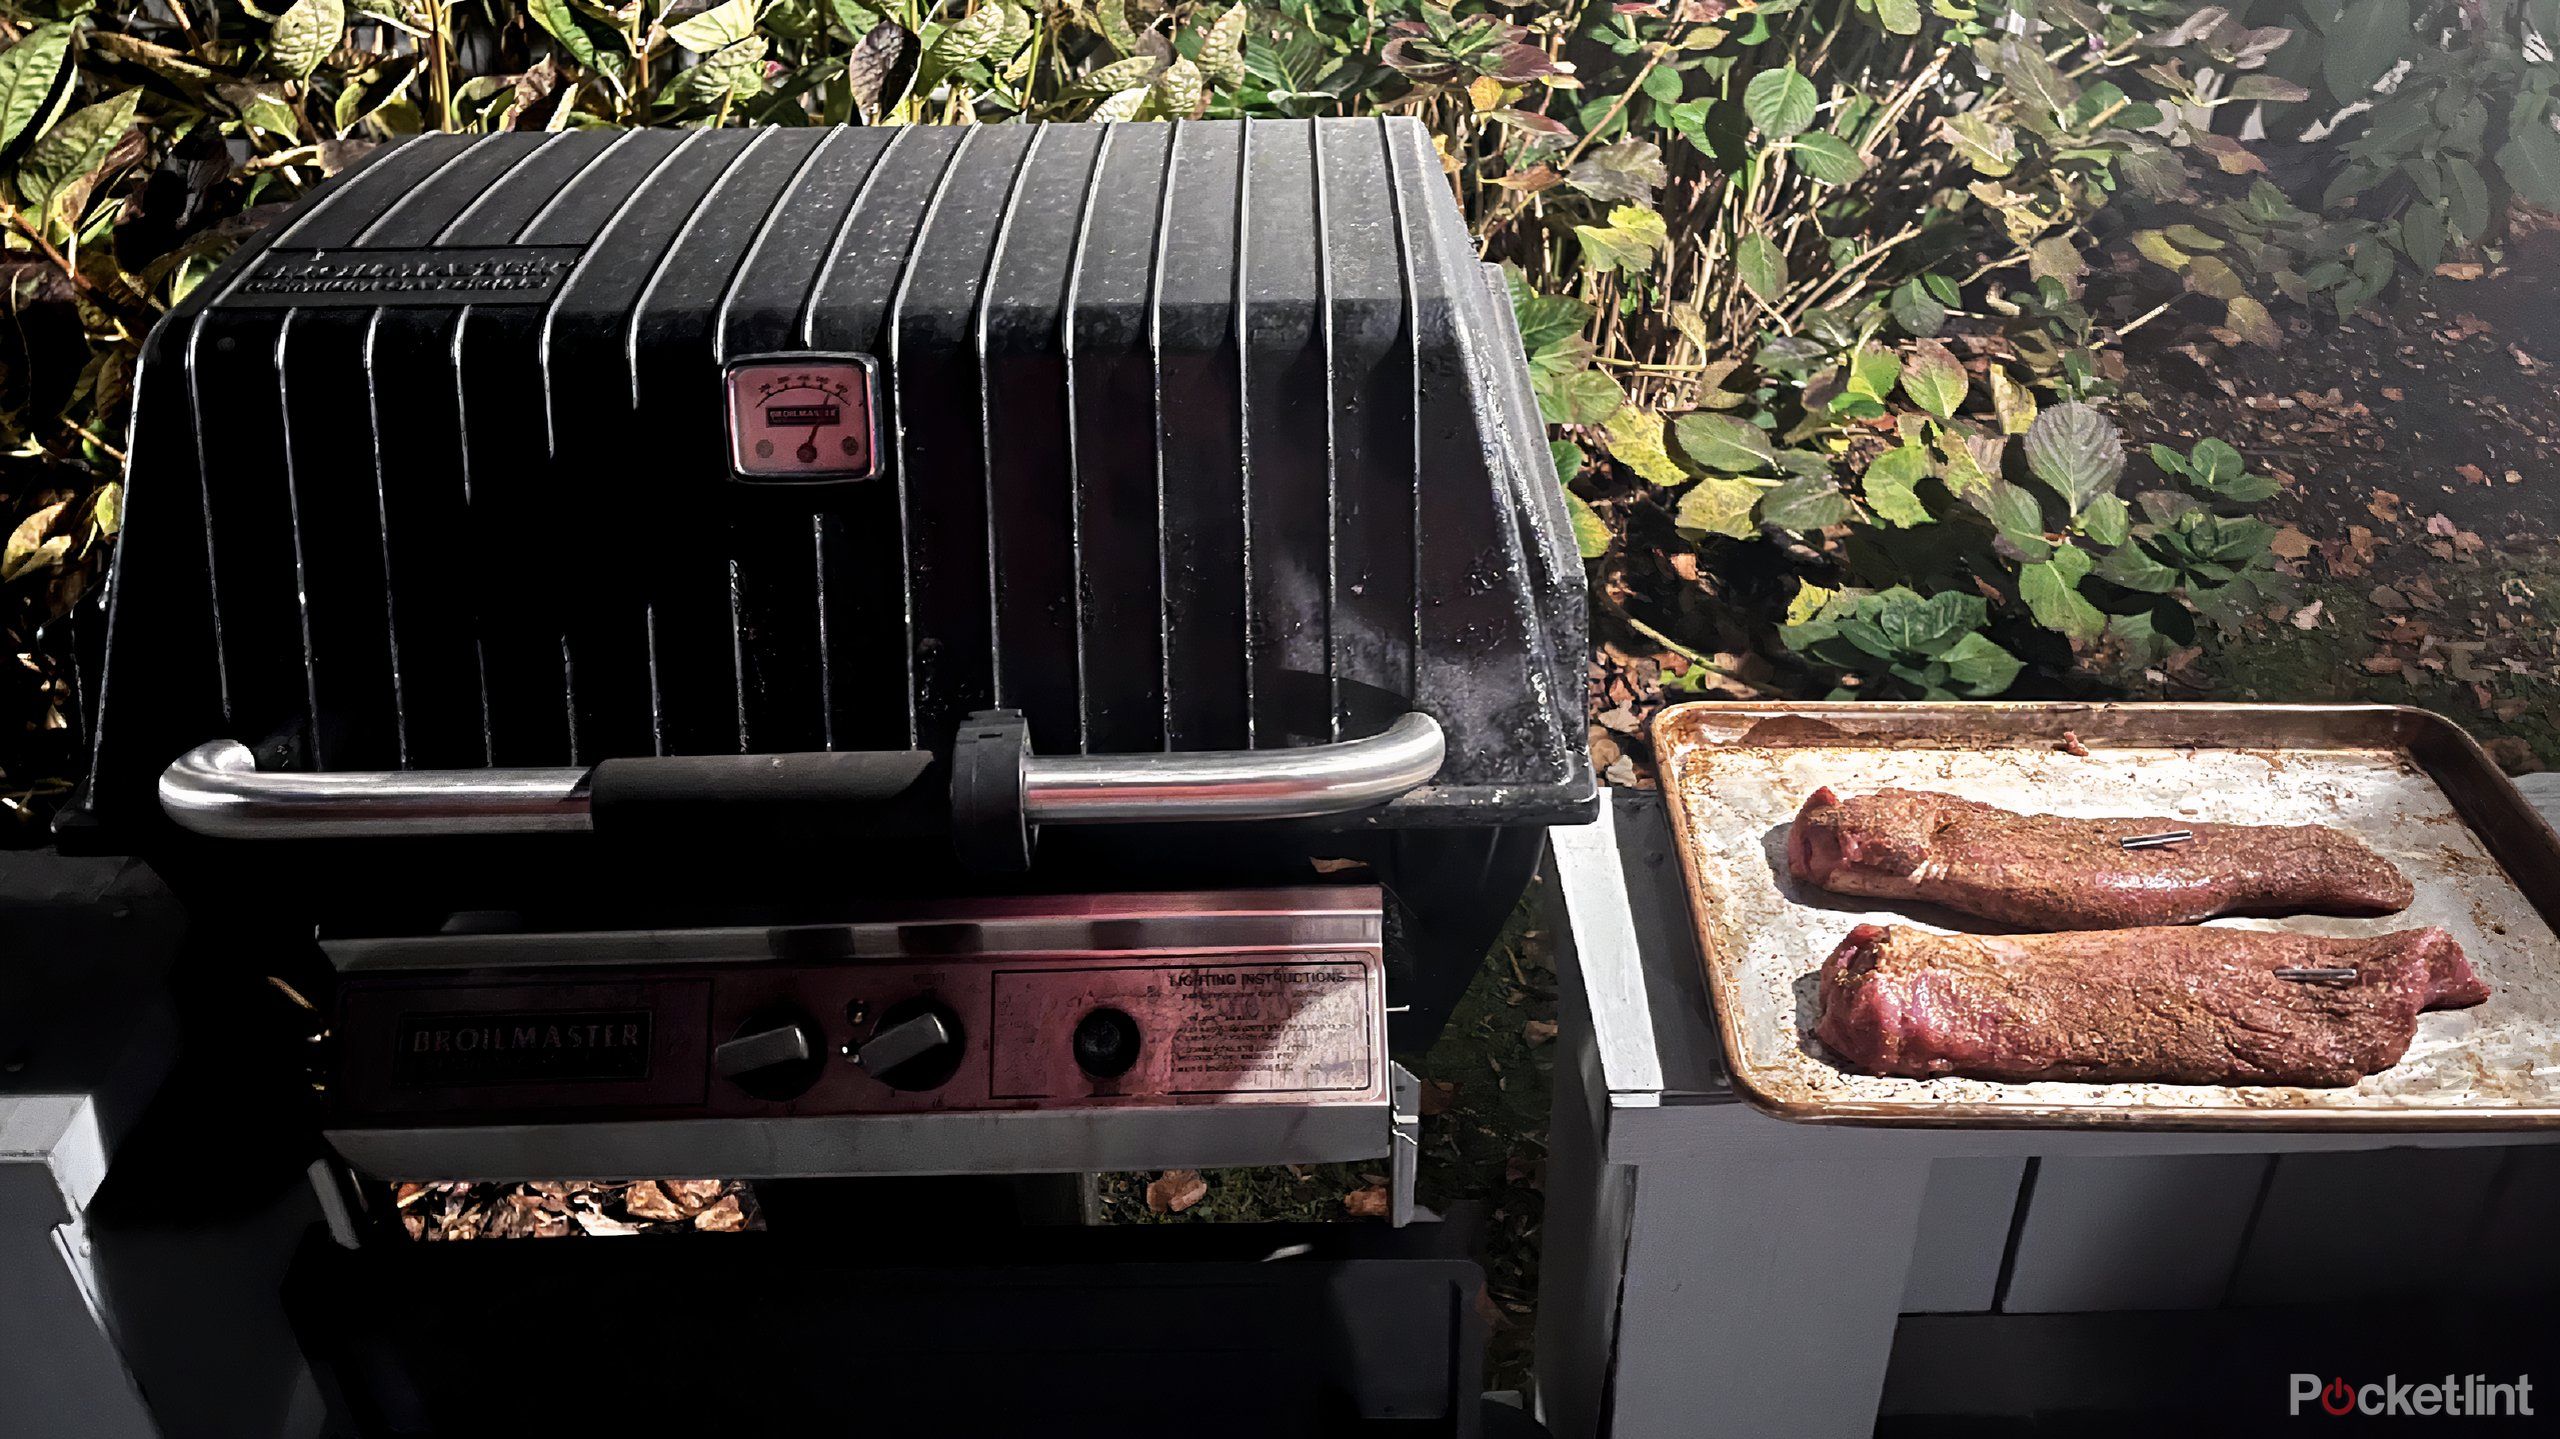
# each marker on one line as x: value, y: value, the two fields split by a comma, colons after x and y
x: 2047, y: 872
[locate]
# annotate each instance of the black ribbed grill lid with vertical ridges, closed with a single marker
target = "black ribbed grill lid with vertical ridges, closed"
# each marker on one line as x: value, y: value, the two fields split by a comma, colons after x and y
x: 1192, y: 437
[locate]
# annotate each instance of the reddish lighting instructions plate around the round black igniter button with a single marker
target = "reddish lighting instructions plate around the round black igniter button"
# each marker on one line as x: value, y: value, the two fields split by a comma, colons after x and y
x: 1204, y: 1031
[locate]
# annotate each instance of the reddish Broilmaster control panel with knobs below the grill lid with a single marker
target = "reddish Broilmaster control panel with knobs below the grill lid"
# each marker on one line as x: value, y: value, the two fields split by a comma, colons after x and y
x: 1018, y: 1005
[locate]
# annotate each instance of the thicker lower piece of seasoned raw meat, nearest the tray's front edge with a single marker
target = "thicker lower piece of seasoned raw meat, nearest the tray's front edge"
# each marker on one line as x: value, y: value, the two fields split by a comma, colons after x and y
x: 2182, y: 1005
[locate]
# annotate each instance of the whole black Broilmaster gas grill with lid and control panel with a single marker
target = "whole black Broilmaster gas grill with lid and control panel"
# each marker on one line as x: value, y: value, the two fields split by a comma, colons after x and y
x: 851, y: 652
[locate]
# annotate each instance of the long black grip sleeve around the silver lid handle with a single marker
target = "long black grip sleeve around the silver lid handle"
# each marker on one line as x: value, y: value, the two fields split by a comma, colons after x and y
x: 874, y: 795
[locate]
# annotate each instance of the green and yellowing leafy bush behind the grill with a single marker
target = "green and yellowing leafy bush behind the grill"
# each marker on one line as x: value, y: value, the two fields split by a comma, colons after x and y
x: 1824, y: 278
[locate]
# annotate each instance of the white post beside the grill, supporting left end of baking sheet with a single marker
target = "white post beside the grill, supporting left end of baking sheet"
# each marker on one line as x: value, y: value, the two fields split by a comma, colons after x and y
x: 1693, y: 1292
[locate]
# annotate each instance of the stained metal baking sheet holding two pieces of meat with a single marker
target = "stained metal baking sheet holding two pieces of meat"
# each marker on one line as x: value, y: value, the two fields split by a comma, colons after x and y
x: 2408, y: 782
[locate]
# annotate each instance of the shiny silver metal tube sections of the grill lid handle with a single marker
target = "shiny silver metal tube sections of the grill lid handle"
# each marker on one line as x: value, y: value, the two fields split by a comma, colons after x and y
x: 219, y: 790
